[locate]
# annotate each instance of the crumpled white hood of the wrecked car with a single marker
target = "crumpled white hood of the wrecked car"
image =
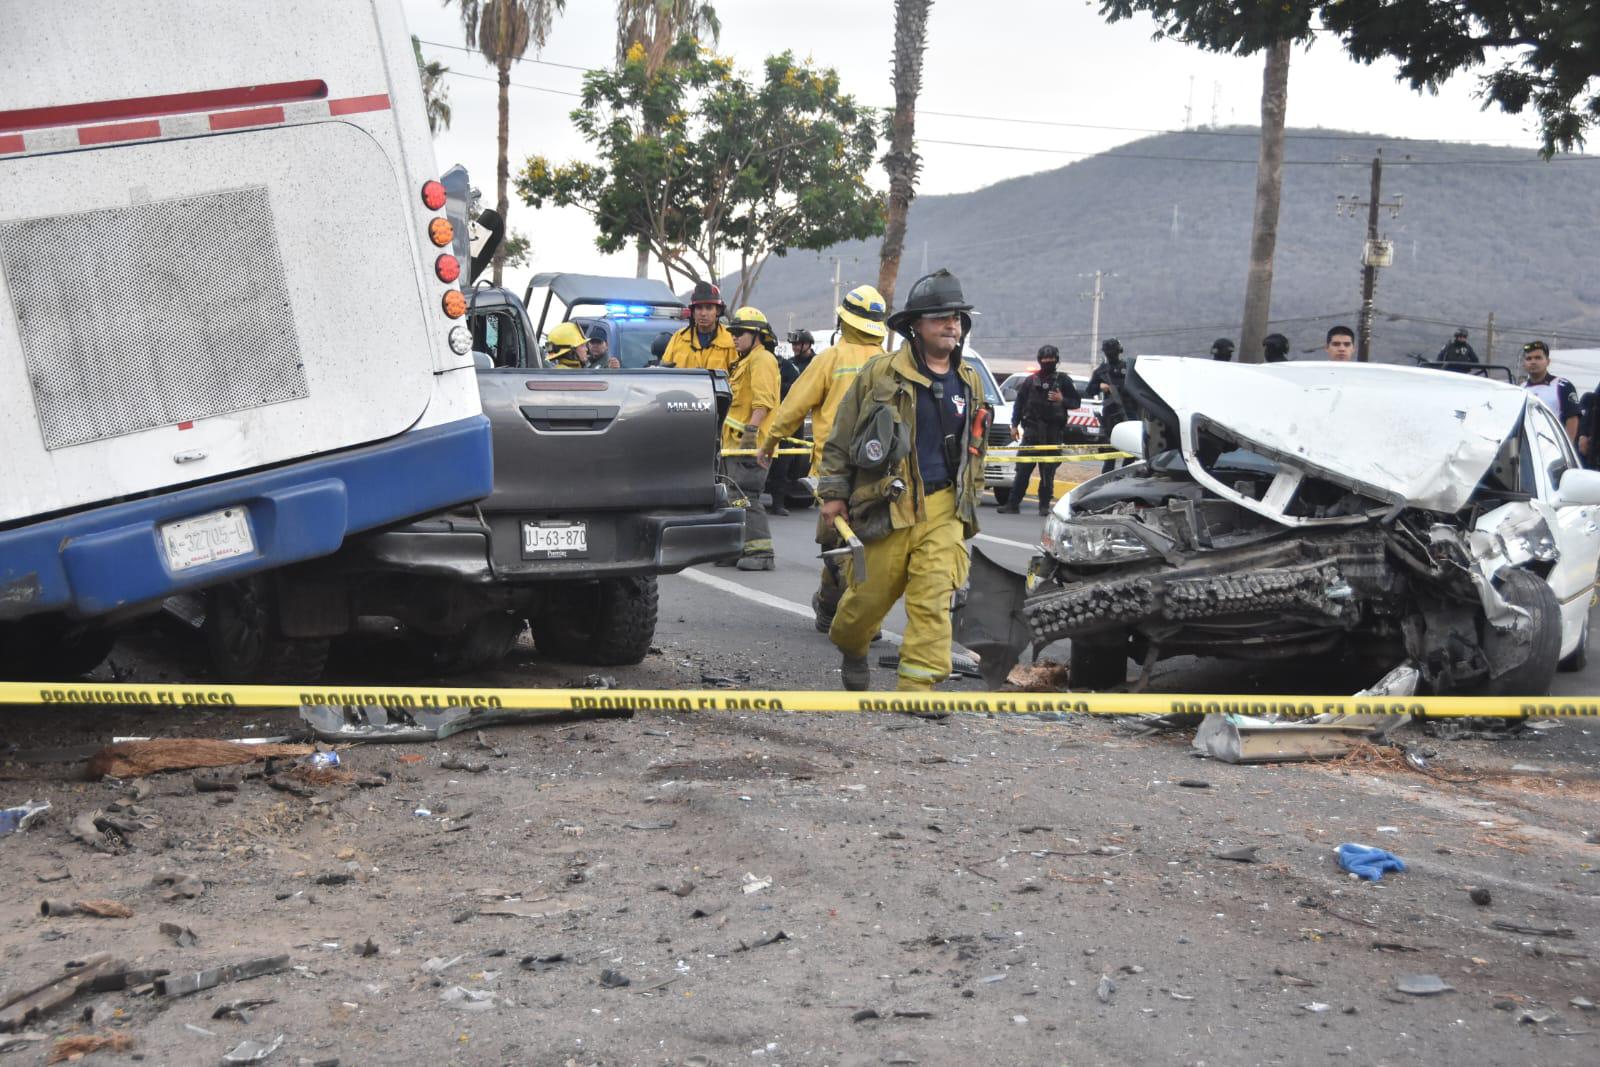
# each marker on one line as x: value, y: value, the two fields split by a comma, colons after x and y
x: 1409, y: 436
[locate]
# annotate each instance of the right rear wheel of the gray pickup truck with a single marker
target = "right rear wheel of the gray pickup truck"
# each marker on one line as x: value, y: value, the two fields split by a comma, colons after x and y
x: 604, y: 625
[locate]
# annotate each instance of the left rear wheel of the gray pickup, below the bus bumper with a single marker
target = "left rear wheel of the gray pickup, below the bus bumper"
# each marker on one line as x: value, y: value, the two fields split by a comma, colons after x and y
x: 242, y: 633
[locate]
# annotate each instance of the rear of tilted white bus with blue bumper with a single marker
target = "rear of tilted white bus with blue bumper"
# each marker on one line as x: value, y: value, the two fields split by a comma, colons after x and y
x: 230, y: 318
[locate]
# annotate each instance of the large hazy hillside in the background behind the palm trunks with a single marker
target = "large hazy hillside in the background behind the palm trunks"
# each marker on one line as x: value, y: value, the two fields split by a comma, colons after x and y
x: 1503, y: 233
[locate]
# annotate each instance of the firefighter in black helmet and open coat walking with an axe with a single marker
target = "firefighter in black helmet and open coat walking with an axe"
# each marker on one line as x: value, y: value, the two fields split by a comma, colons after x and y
x: 905, y: 463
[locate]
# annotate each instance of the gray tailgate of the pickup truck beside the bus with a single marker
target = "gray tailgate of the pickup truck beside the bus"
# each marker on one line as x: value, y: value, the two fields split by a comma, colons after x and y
x: 602, y: 441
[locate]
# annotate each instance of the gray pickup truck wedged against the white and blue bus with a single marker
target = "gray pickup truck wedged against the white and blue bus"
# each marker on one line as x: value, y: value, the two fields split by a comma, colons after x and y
x: 604, y: 481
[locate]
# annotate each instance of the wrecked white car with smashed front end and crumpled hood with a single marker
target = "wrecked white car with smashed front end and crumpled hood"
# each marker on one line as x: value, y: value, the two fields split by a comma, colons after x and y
x: 1300, y: 510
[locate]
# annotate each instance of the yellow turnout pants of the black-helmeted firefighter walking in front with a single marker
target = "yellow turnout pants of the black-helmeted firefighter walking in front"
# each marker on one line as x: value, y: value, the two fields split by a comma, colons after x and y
x: 926, y: 564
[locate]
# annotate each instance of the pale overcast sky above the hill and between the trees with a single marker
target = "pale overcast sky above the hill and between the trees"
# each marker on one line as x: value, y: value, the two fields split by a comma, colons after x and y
x: 1023, y: 60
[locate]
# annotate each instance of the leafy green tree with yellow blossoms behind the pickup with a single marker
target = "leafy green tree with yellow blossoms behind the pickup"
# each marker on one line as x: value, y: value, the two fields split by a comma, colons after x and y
x: 703, y: 162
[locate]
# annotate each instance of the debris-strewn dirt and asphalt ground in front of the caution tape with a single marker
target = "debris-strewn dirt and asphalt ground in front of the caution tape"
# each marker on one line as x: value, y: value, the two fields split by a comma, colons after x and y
x: 830, y: 890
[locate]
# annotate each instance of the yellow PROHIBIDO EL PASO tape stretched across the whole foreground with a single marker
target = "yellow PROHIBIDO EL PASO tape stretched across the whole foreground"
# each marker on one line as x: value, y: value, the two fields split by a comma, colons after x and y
x: 436, y: 698
